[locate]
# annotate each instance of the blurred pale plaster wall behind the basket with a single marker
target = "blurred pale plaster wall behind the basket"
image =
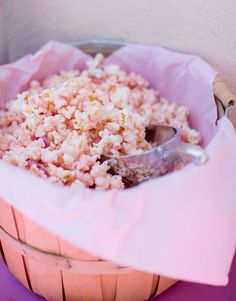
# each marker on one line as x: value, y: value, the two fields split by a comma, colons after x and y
x: 203, y: 27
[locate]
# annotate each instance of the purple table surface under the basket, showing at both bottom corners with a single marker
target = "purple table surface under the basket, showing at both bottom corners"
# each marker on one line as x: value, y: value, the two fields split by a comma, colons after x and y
x: 12, y: 290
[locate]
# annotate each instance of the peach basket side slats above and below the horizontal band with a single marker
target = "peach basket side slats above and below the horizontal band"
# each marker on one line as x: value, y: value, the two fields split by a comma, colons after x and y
x: 56, y: 284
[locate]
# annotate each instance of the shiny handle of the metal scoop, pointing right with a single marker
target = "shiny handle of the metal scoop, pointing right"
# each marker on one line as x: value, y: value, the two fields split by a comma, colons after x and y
x: 186, y: 153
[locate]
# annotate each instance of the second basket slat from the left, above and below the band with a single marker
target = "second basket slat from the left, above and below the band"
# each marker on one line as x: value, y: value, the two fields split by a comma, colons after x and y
x: 45, y: 280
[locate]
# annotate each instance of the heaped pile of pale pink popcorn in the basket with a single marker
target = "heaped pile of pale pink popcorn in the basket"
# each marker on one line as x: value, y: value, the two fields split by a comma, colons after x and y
x: 60, y: 128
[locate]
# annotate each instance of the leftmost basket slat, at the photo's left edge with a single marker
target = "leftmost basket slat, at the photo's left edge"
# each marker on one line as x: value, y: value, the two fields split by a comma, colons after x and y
x: 14, y: 260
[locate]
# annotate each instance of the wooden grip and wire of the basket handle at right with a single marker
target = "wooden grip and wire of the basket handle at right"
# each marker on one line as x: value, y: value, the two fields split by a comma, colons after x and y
x: 225, y: 100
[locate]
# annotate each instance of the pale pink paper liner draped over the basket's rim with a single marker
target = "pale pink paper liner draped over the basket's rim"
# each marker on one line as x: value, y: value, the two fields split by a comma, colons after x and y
x: 182, y: 225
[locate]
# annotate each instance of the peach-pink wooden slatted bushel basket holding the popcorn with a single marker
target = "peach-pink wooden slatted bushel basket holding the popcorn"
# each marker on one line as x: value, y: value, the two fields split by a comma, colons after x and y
x: 57, y: 270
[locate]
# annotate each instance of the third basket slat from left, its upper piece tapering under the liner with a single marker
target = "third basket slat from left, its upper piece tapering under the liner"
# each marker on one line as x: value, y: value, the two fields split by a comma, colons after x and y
x: 78, y: 286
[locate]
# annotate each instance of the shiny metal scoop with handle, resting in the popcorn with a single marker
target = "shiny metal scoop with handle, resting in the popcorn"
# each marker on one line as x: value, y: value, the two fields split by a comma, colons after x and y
x: 167, y: 154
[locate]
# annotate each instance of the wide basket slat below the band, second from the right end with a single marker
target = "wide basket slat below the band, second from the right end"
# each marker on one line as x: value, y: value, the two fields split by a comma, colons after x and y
x: 135, y: 286
